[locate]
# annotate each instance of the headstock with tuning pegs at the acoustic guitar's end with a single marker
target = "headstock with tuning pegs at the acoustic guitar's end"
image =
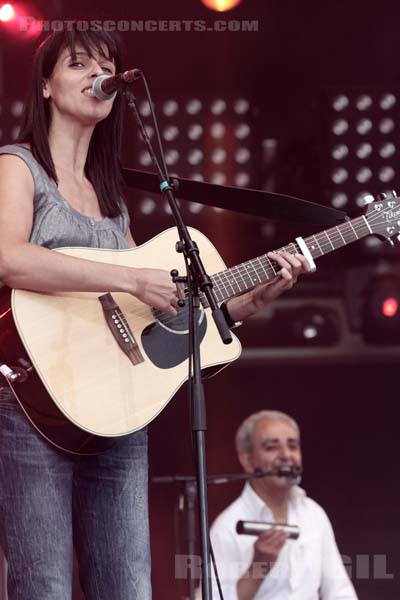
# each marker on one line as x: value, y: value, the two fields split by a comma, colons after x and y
x: 383, y: 215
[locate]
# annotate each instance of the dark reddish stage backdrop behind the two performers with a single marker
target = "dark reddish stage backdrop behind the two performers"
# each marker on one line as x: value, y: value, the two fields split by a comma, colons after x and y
x: 342, y: 389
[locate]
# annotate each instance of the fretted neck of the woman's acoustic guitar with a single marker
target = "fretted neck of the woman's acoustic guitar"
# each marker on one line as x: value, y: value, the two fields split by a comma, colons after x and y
x: 247, y: 275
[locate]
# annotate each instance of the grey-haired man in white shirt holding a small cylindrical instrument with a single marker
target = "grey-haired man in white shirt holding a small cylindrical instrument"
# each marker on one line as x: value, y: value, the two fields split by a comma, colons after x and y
x: 272, y: 566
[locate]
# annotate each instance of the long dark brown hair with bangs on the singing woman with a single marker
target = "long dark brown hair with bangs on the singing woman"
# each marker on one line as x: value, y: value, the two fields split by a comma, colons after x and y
x: 102, y: 167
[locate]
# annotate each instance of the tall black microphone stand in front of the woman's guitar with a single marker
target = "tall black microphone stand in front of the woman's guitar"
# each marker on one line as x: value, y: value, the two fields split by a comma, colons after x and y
x: 197, y: 279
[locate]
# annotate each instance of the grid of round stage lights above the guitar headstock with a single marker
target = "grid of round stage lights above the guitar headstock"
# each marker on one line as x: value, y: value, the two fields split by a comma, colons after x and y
x: 362, y: 145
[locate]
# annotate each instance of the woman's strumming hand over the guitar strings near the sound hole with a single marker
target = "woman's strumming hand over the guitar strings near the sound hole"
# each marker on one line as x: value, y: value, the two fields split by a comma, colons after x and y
x: 156, y: 288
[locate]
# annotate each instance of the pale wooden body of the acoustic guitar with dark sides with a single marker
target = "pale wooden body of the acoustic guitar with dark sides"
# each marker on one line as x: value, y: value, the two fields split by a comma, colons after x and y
x: 84, y: 390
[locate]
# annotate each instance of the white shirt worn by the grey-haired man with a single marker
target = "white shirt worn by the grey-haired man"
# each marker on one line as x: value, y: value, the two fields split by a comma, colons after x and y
x: 309, y: 568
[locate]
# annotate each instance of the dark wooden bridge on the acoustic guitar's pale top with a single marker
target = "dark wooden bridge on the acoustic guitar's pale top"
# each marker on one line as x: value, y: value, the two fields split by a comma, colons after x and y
x: 120, y: 329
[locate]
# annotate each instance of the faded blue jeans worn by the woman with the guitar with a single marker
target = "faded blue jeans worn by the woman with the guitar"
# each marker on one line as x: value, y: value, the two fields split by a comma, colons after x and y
x: 50, y: 502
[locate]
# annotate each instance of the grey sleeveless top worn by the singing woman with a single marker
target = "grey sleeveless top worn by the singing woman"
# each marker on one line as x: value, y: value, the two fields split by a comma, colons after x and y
x: 56, y: 224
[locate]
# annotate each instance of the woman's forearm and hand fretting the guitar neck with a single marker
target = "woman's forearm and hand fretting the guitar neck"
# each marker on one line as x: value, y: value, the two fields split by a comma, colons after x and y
x: 292, y: 265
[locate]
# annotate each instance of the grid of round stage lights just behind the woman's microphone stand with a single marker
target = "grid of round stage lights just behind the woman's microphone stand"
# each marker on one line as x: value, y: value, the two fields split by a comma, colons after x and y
x: 205, y: 139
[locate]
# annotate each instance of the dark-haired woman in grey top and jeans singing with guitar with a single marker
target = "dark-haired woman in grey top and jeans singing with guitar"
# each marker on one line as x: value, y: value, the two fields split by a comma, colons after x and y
x: 60, y: 186
